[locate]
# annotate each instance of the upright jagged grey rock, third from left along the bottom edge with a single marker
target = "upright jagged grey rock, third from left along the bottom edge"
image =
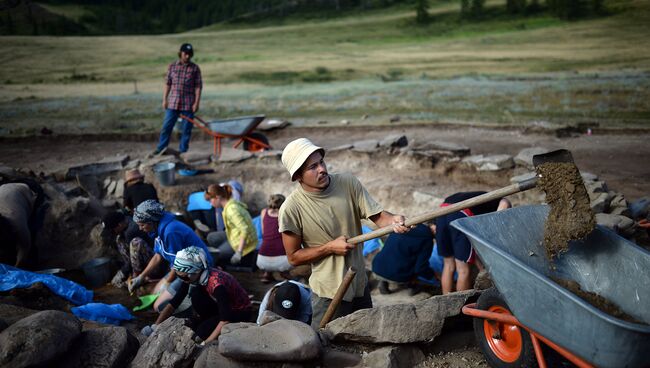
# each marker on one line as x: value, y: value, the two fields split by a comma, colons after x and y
x: 171, y: 345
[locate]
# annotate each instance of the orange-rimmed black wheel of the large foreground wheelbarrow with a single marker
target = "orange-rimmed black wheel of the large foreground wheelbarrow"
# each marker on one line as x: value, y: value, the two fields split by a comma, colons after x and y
x: 503, y: 344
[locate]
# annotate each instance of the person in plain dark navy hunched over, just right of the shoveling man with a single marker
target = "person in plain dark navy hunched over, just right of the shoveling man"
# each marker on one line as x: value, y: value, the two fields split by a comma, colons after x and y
x: 404, y: 258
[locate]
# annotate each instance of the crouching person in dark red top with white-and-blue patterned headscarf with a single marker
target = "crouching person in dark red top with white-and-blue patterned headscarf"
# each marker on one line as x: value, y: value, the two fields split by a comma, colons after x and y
x: 217, y: 297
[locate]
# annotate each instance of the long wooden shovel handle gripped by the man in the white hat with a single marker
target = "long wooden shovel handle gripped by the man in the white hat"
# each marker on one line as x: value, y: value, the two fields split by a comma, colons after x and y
x: 483, y: 198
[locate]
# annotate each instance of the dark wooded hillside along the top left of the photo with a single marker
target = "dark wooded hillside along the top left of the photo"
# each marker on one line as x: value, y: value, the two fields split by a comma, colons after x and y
x: 99, y: 17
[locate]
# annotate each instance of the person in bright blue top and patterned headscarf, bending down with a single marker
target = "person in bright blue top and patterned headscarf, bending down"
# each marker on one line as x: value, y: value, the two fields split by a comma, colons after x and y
x: 170, y: 236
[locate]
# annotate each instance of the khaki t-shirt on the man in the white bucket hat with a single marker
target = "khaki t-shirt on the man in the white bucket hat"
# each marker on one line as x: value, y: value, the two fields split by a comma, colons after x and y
x: 324, y: 216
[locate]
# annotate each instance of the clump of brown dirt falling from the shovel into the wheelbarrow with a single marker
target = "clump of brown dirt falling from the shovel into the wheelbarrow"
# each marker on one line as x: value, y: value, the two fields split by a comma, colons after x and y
x: 571, y: 217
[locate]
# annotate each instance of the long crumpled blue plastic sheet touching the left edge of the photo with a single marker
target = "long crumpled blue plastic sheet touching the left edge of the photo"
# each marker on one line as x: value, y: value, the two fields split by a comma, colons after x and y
x: 15, y: 278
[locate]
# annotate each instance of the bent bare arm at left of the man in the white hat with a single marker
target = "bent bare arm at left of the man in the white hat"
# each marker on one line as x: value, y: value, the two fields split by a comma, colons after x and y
x: 297, y: 255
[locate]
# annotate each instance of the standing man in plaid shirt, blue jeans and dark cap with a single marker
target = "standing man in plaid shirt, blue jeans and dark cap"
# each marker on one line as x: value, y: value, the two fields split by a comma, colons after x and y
x: 181, y: 96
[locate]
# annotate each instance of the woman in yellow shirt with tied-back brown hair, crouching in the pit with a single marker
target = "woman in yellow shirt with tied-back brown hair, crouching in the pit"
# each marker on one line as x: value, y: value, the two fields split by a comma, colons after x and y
x: 240, y: 240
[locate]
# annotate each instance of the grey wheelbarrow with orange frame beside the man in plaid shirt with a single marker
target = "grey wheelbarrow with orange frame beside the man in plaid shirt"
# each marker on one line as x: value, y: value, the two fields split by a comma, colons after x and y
x: 241, y: 129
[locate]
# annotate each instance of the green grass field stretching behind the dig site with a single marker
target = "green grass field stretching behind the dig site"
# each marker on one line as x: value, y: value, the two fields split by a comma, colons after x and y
x: 530, y: 70
